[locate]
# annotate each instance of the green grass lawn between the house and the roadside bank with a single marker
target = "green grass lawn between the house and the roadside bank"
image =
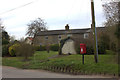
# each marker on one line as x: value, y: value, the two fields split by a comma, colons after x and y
x: 106, y: 63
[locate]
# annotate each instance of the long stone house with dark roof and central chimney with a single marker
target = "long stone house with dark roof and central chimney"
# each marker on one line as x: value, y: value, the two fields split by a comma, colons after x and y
x: 55, y: 36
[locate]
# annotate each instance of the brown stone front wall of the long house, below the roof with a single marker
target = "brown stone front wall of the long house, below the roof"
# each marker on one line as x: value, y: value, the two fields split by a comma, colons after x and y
x: 55, y: 39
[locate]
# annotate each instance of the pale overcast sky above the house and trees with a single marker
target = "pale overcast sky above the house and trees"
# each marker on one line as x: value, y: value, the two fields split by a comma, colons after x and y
x: 16, y: 14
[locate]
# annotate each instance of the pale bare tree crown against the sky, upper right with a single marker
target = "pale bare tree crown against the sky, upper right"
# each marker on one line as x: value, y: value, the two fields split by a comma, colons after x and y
x: 111, y: 11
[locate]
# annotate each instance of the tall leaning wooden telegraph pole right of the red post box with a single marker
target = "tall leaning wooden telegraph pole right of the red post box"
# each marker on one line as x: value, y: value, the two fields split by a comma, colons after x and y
x: 94, y: 32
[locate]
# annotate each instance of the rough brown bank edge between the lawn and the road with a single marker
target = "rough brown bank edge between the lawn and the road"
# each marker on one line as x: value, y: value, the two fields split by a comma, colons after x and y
x: 75, y: 72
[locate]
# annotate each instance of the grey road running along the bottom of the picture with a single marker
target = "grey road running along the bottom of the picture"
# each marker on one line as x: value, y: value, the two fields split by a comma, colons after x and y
x: 11, y: 72
